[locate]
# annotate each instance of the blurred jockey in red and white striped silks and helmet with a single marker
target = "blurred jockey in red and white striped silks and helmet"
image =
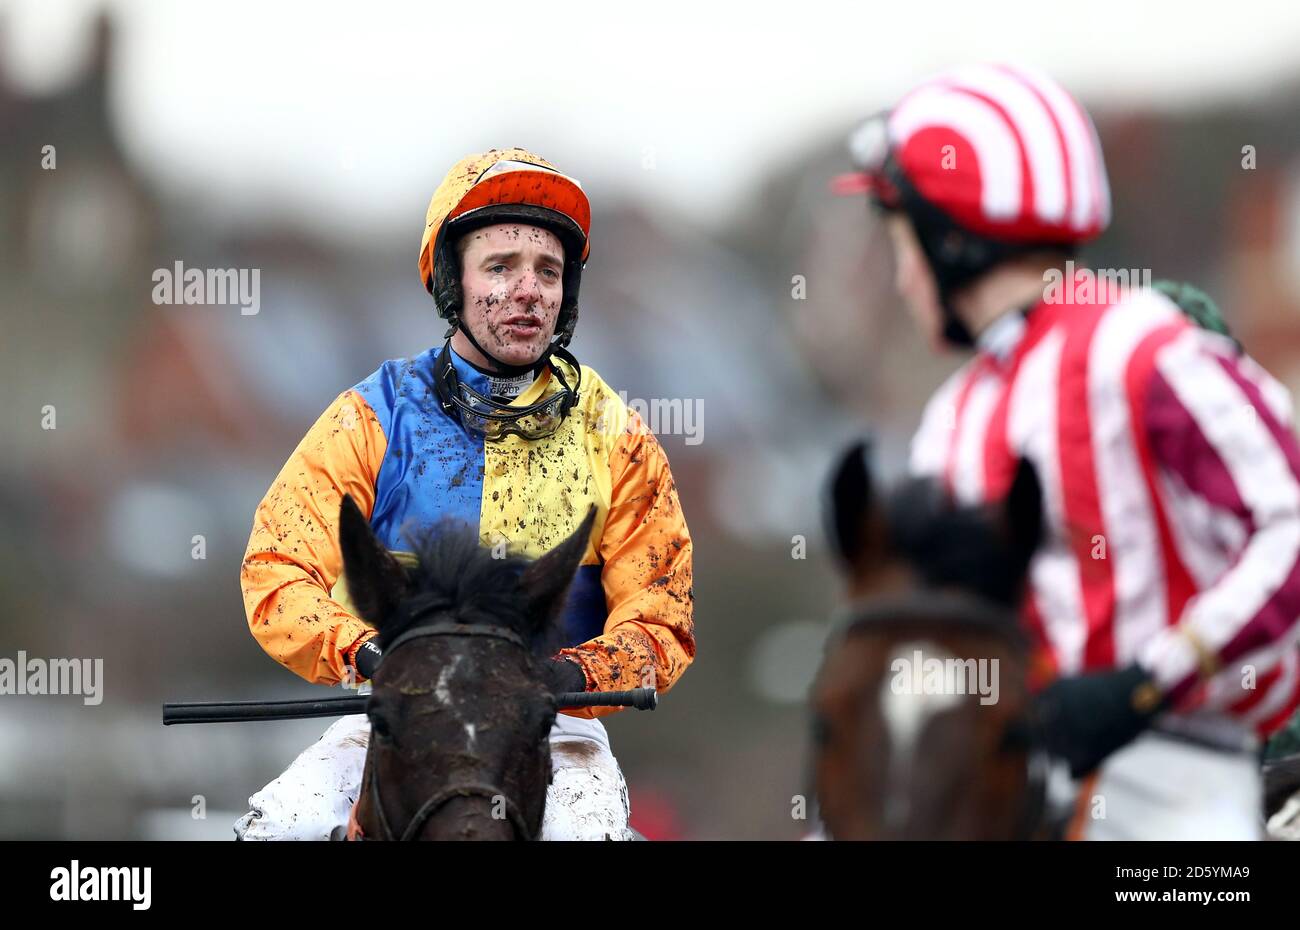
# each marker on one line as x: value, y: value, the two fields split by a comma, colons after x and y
x: 1164, y: 602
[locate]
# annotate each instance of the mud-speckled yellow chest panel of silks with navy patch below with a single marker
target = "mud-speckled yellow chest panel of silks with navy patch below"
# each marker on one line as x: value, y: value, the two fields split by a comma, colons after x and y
x: 538, y: 492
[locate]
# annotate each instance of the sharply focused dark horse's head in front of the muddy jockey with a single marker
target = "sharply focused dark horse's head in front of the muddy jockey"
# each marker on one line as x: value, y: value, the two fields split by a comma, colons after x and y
x: 461, y: 712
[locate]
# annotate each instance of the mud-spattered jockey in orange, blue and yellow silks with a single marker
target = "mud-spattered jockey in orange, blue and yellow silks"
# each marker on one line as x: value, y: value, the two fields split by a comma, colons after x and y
x: 502, y: 429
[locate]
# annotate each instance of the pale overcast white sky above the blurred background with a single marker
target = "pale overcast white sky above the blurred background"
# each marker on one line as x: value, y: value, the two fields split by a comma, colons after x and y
x: 361, y: 107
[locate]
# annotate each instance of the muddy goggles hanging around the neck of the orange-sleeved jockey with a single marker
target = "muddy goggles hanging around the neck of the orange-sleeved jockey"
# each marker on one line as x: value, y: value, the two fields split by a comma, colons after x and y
x: 495, y: 419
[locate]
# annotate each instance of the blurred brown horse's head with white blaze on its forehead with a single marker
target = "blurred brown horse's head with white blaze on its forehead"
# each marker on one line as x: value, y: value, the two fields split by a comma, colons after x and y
x: 920, y: 702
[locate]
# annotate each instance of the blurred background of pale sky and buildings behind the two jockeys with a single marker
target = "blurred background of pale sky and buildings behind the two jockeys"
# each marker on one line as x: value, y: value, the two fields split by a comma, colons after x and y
x: 305, y: 141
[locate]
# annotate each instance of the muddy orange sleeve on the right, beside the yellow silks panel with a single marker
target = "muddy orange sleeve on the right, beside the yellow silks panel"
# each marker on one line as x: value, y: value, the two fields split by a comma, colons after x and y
x: 647, y: 577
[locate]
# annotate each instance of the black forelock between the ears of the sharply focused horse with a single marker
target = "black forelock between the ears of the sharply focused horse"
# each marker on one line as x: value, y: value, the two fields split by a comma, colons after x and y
x: 460, y: 581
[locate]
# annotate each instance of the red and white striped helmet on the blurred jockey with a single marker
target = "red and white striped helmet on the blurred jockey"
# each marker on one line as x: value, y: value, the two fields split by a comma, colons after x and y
x: 1004, y: 152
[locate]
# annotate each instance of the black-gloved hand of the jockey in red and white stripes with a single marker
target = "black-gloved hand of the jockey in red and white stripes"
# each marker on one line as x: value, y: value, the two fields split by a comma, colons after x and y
x: 1085, y: 719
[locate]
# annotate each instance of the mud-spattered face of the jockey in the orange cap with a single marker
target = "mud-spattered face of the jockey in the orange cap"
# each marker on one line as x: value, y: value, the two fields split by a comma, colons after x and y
x: 513, y: 283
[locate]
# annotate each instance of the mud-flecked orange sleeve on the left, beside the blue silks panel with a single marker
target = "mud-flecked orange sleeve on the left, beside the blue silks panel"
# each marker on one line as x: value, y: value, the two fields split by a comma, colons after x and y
x: 294, y: 559
